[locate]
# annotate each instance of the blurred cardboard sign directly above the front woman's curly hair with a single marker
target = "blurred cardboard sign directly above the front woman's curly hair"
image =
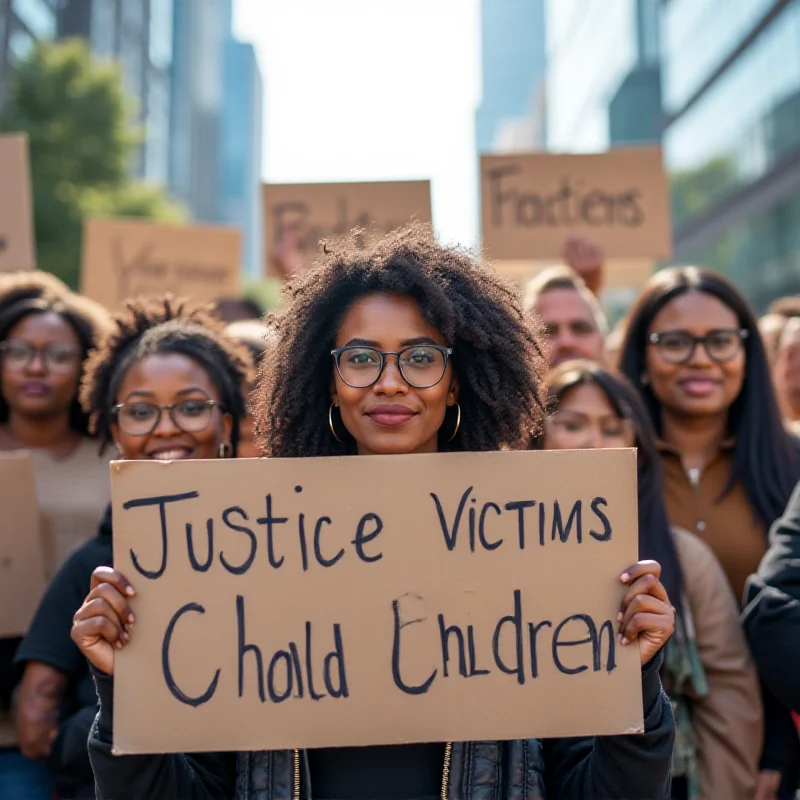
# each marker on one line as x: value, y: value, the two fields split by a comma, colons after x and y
x: 326, y: 210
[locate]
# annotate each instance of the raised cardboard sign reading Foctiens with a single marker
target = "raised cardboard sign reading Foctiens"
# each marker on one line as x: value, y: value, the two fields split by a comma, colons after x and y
x: 619, y: 199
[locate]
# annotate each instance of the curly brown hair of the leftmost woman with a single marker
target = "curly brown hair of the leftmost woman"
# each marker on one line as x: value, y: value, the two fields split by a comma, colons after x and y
x: 26, y: 293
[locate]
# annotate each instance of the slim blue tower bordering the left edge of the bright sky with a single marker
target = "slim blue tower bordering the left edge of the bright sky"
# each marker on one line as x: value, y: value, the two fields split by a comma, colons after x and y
x: 240, y: 157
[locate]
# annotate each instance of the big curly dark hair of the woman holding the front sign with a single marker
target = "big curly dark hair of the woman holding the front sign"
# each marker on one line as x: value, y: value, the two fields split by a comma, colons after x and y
x: 497, y: 352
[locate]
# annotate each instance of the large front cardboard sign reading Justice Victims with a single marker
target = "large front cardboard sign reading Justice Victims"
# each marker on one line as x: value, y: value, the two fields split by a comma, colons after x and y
x: 352, y: 601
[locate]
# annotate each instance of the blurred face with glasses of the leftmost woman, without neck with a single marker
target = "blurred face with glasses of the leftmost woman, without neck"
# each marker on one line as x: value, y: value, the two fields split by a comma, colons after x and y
x: 41, y: 366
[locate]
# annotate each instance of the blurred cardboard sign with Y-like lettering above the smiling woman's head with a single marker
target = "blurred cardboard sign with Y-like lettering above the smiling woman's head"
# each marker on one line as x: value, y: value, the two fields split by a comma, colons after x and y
x: 124, y: 258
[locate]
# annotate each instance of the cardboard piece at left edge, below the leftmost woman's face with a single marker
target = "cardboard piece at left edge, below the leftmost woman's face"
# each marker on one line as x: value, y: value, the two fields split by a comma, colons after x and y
x: 22, y: 582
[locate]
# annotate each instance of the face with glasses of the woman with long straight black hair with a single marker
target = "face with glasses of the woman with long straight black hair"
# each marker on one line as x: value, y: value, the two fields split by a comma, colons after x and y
x: 690, y: 377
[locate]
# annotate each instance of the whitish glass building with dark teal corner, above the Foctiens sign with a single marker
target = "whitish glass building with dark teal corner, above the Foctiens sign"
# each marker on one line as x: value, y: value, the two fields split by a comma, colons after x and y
x: 603, y: 74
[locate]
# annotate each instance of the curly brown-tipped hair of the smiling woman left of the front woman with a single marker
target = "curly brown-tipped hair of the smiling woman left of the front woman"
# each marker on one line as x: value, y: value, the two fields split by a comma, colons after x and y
x: 158, y: 326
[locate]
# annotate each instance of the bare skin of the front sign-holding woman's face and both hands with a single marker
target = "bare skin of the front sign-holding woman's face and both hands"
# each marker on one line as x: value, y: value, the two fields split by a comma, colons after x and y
x: 105, y: 621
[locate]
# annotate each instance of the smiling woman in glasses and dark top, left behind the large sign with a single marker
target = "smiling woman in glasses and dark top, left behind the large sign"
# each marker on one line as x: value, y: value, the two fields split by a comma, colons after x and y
x: 165, y: 385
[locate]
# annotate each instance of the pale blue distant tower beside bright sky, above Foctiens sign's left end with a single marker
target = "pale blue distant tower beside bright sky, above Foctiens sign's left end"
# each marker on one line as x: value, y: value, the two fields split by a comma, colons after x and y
x: 512, y: 111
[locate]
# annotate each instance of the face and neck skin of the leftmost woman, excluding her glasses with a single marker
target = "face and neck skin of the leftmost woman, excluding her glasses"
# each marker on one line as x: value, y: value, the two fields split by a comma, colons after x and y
x: 40, y: 397
